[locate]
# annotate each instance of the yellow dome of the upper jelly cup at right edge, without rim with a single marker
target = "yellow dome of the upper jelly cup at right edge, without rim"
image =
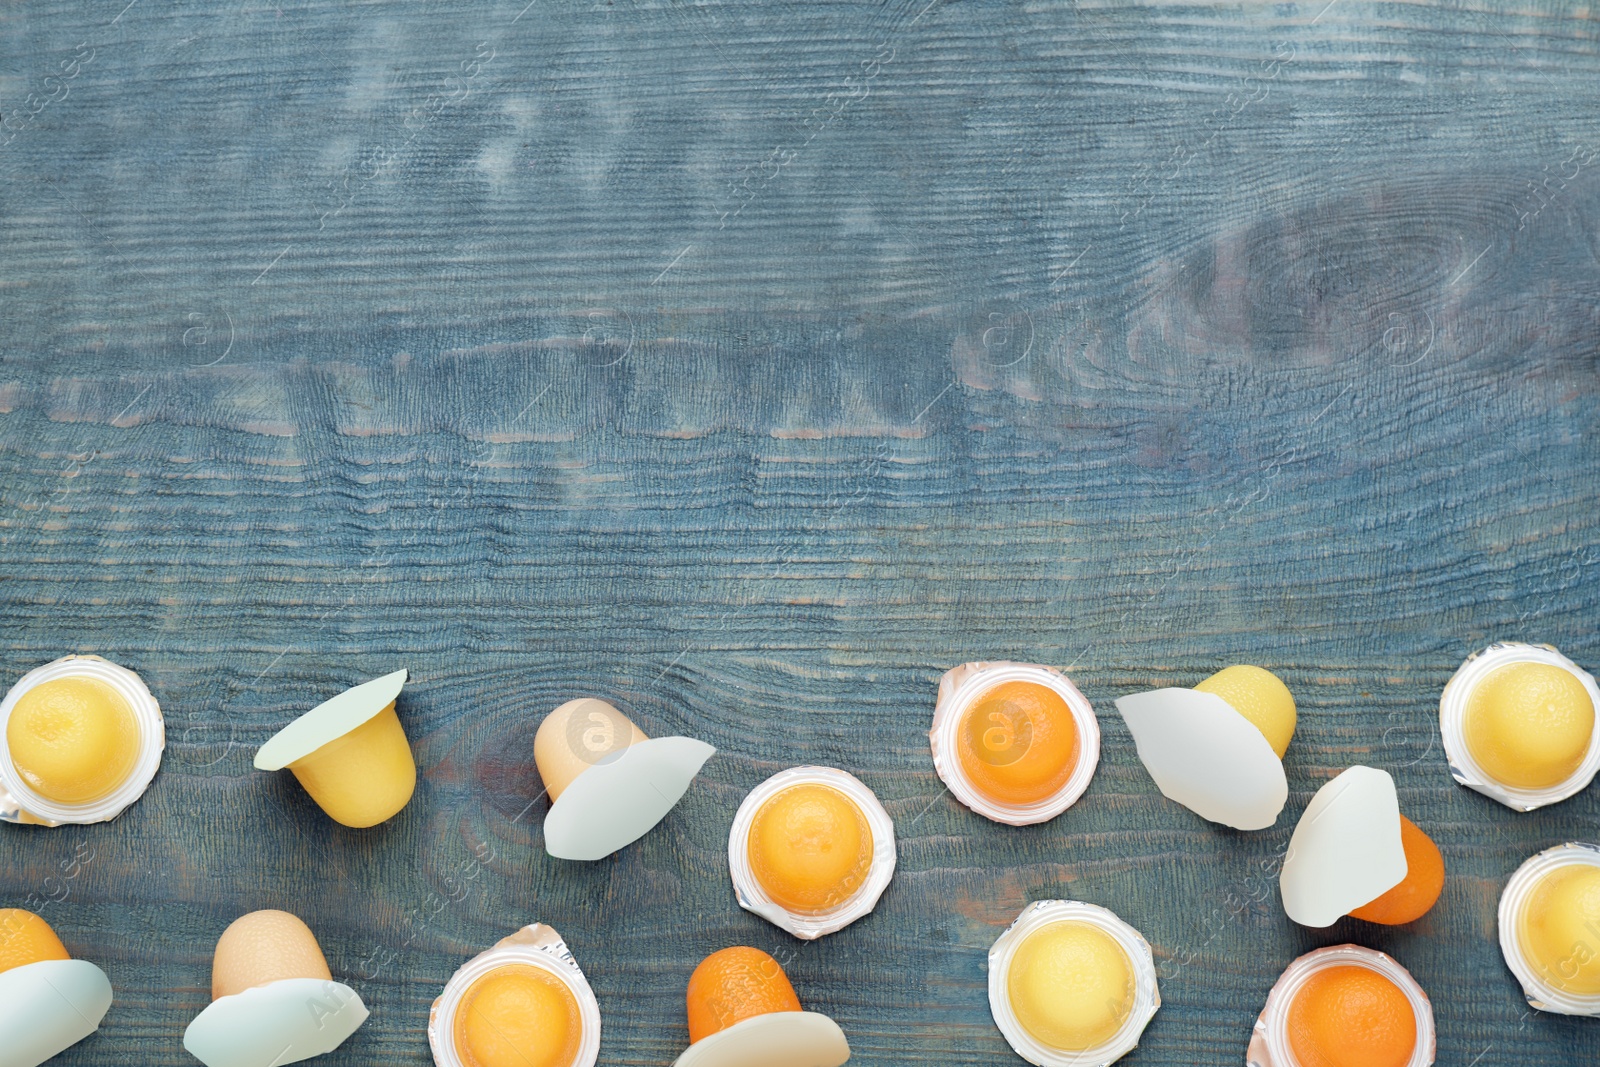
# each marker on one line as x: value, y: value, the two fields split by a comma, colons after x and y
x: 1529, y: 725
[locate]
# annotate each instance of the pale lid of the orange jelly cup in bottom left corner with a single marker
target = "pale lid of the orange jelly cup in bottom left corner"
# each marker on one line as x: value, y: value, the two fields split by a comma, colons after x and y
x: 49, y: 1007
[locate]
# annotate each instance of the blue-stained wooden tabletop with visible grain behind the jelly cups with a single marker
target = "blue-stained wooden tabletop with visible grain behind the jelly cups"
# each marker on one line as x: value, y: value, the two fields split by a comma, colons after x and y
x: 748, y: 366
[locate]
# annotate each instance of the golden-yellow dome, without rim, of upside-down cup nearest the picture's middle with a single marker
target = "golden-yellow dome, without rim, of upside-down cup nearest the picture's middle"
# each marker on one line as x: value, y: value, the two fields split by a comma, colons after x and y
x: 810, y: 849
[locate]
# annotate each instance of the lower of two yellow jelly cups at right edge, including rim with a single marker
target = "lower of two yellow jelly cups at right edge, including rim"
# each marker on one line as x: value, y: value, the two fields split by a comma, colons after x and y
x: 1550, y: 929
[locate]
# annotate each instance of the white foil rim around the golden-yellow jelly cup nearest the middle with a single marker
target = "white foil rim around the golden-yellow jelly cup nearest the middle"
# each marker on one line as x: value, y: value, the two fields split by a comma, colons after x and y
x: 850, y: 908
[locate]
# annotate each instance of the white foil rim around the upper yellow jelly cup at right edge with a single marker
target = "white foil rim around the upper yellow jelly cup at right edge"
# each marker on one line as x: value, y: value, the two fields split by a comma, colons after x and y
x: 1454, y: 716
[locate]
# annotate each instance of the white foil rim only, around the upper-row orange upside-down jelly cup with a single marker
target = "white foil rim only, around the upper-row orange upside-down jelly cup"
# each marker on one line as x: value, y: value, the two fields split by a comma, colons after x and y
x: 959, y: 689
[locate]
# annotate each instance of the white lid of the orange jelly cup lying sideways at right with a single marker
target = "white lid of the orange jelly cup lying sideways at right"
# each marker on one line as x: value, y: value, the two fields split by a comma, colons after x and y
x: 1346, y: 849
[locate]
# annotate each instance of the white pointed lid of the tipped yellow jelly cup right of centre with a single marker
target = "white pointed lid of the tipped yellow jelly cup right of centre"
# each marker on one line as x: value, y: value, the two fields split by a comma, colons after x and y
x: 1207, y: 757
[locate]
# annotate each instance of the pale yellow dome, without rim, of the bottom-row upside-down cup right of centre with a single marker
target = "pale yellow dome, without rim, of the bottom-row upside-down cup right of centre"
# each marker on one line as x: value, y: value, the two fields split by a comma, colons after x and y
x: 1071, y: 986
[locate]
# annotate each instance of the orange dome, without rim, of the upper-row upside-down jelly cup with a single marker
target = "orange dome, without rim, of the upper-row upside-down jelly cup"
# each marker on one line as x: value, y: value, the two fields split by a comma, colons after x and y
x: 1018, y: 743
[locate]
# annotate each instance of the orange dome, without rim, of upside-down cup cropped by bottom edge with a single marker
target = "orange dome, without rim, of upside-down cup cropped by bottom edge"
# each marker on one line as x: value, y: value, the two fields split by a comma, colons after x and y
x: 1351, y: 1017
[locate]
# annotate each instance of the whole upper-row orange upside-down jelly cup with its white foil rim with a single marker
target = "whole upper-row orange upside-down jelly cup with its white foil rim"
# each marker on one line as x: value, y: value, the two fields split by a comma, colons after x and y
x: 1015, y: 743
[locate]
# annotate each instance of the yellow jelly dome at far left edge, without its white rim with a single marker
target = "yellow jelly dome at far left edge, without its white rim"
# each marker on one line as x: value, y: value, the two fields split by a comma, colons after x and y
x: 73, y: 740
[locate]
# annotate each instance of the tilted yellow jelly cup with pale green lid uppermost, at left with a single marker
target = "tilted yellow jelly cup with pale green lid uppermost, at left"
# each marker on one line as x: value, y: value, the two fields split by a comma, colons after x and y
x: 351, y: 754
